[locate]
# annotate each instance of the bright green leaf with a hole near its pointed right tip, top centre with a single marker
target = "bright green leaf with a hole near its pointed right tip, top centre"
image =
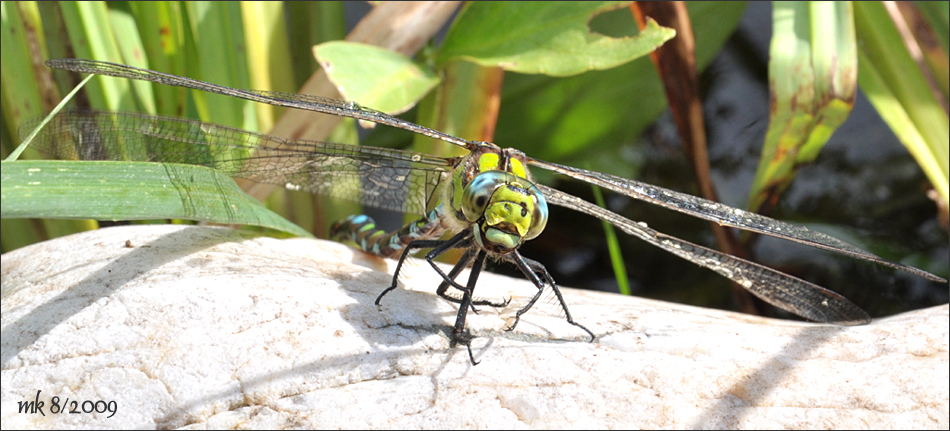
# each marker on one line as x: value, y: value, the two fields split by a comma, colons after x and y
x: 550, y: 38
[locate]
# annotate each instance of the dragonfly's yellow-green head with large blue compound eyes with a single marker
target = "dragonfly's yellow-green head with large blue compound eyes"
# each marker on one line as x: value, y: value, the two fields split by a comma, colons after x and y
x: 505, y: 210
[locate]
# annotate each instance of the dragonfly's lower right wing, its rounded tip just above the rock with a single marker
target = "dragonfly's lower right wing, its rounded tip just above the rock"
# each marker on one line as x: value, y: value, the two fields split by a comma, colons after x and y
x: 781, y: 290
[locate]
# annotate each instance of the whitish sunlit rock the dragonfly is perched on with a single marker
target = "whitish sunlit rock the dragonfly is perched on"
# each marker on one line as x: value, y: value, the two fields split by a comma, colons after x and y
x: 202, y: 327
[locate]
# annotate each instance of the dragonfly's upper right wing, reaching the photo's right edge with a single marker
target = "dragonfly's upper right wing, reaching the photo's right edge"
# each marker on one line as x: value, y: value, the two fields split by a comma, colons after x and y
x: 723, y: 214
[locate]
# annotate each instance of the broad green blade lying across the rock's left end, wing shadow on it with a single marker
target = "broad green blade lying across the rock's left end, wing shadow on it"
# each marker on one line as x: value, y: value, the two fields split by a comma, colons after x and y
x: 129, y: 191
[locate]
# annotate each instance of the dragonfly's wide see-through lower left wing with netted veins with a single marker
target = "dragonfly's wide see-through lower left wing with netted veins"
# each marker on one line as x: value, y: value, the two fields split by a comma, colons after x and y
x: 391, y: 179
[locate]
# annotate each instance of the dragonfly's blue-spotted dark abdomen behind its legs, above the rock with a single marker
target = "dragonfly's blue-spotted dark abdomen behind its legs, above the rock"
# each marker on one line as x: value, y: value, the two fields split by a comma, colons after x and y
x: 362, y: 230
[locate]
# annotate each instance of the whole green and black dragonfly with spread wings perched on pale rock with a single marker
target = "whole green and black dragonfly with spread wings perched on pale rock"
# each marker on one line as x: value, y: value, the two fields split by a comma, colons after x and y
x: 485, y: 202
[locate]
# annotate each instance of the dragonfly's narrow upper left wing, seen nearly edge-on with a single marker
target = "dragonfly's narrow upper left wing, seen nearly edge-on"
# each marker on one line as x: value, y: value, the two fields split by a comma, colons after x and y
x: 292, y: 100
